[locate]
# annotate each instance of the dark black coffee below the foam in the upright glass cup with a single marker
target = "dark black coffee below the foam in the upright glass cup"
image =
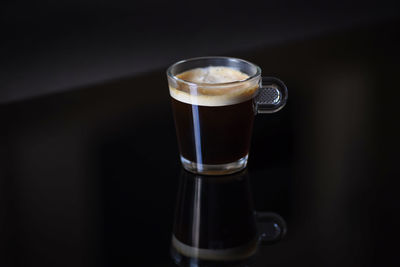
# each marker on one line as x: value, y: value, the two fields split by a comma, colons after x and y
x: 213, y: 134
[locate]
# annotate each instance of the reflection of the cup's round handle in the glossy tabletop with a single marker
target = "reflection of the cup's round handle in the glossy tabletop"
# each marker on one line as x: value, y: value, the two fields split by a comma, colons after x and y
x: 271, y: 227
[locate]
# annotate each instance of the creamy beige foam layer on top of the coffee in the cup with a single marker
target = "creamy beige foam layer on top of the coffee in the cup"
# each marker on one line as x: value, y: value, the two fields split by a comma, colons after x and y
x: 210, y: 89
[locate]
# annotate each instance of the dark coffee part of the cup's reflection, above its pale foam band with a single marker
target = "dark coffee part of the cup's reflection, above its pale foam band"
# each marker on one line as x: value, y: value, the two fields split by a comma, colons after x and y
x: 214, y: 212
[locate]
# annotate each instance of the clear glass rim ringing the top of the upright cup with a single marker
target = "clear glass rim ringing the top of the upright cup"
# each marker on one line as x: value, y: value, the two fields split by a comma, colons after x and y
x: 172, y: 76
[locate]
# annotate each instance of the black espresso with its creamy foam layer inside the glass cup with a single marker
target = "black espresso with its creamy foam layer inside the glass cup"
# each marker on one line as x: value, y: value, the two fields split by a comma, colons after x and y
x: 214, y: 122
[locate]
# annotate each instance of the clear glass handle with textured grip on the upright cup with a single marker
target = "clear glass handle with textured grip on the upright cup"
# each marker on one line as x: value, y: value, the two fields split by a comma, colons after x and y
x: 272, y: 96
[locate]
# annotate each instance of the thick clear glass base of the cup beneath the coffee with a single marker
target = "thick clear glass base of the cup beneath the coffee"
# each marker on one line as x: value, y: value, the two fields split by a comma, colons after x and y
x: 214, y: 169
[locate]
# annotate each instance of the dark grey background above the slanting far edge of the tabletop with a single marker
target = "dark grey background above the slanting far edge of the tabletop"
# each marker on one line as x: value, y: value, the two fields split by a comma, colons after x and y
x: 53, y: 46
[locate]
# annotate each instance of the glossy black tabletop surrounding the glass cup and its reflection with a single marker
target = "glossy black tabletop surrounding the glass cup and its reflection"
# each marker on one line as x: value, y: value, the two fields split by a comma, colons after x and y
x: 89, y: 177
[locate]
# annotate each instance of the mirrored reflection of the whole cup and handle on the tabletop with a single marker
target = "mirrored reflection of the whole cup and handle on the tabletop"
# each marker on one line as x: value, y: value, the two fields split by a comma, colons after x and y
x: 215, y: 220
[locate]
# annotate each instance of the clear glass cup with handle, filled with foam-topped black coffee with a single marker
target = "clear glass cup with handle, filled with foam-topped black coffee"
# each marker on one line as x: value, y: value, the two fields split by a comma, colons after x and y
x: 214, y: 121
